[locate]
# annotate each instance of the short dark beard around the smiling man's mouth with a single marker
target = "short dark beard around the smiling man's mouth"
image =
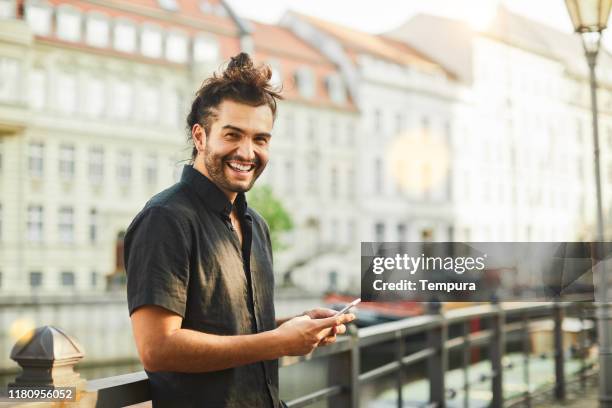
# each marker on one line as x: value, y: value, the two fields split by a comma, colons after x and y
x: 215, y: 165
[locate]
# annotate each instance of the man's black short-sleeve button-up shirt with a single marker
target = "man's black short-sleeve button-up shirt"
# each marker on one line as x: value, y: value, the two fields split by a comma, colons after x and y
x: 181, y: 253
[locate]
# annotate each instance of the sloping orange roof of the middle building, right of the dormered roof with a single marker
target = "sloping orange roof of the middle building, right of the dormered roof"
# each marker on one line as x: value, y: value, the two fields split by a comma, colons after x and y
x: 362, y: 42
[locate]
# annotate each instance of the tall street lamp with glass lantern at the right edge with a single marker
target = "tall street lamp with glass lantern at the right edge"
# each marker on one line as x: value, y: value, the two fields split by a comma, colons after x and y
x: 590, y: 18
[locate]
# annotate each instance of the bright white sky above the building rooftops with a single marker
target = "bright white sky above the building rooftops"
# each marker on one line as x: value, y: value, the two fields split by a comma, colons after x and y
x: 383, y: 15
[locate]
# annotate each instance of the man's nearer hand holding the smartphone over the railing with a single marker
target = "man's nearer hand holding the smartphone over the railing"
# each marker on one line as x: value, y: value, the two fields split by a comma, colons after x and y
x: 302, y: 334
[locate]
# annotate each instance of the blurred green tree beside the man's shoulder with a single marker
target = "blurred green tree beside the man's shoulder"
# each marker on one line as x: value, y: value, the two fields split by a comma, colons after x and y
x: 271, y: 209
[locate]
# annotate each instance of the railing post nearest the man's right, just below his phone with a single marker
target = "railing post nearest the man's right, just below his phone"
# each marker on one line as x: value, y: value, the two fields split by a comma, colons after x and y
x: 345, y: 368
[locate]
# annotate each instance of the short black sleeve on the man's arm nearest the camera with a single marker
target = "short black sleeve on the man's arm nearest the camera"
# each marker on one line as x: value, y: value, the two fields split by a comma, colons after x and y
x: 157, y: 261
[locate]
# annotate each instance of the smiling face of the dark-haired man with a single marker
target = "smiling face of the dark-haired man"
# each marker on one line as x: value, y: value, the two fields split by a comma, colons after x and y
x: 236, y: 148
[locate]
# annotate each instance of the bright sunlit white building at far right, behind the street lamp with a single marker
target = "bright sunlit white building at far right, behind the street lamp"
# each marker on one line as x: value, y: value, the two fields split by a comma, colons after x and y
x: 524, y: 166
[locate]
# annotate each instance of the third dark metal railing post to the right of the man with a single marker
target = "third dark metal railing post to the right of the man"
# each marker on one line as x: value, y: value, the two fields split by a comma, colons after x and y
x: 496, y: 352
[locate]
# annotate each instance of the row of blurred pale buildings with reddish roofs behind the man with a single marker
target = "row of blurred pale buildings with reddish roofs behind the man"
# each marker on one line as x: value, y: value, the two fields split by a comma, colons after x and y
x: 429, y: 132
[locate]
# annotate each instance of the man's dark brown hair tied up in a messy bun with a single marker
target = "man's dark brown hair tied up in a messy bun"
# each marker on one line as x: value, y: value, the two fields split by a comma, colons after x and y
x: 241, y: 82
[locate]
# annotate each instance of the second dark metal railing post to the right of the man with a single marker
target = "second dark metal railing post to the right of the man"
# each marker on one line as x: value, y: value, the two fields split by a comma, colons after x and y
x: 437, y: 363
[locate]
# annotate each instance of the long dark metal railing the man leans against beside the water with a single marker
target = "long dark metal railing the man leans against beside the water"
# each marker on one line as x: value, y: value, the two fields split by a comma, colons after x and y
x: 442, y: 334
